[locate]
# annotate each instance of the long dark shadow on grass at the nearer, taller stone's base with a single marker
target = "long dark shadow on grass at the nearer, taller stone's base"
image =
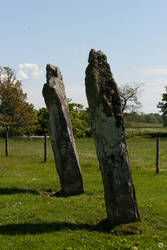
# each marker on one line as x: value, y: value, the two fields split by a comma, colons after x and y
x: 40, y: 228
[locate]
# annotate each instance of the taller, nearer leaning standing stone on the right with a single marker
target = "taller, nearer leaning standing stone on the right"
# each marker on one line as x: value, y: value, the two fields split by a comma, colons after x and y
x: 108, y: 132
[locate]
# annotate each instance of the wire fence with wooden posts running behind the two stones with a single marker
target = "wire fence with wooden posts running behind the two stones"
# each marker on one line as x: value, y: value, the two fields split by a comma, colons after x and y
x: 149, y: 153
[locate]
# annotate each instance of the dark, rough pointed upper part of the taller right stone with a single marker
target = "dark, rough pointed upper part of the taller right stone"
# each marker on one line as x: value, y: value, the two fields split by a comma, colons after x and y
x: 101, y: 88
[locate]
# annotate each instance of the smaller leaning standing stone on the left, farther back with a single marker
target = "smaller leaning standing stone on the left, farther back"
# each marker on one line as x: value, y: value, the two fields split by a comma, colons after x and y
x: 60, y: 131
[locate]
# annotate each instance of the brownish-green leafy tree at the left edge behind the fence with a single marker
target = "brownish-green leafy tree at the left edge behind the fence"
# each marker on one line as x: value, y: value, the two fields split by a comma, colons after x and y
x: 16, y: 114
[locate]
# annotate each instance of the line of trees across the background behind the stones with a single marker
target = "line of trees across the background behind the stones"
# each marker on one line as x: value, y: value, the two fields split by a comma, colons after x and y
x: 19, y: 117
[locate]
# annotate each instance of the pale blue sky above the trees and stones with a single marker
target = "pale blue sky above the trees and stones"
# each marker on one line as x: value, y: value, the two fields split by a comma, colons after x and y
x: 131, y: 33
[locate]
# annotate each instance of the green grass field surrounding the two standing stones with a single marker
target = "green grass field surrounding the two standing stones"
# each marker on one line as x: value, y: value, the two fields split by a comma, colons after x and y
x: 31, y: 220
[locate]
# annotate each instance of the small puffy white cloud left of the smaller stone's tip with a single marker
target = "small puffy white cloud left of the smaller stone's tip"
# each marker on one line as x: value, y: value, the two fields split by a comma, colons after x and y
x: 29, y: 71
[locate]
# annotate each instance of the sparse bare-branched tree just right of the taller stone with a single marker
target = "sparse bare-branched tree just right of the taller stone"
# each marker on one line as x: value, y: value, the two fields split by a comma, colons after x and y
x: 129, y: 97
